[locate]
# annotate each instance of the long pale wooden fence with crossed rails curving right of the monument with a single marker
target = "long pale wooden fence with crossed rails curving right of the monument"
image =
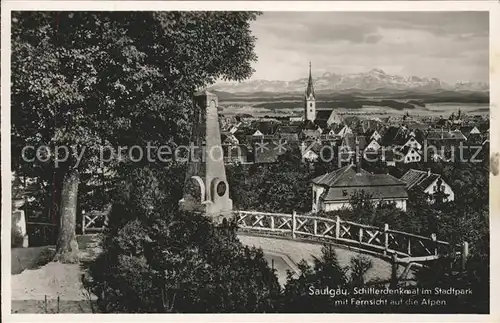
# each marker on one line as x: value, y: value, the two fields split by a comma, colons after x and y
x: 381, y: 240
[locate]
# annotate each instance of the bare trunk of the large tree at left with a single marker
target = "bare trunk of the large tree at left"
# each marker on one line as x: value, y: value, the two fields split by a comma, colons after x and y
x: 67, y: 247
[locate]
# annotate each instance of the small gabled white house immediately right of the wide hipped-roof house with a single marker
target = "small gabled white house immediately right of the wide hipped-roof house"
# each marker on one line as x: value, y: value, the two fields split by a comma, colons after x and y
x: 428, y: 183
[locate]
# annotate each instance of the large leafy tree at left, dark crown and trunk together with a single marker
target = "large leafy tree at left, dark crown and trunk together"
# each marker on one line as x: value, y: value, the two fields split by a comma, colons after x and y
x: 91, y: 79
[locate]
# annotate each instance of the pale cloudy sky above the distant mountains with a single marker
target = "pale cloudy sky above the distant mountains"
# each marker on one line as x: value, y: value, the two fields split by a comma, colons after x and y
x: 452, y: 46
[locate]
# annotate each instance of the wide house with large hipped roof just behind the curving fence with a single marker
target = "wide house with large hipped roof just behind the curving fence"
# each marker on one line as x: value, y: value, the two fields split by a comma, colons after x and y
x: 332, y: 191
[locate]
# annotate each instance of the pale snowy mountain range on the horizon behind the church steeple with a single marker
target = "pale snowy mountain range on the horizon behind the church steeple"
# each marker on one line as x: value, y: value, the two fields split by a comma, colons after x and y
x: 374, y: 80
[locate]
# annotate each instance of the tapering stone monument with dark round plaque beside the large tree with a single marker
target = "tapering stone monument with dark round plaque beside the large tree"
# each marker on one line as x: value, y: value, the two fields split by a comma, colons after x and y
x: 206, y: 189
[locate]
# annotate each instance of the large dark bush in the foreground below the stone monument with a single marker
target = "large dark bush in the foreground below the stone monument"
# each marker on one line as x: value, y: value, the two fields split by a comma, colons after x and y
x: 159, y: 260
